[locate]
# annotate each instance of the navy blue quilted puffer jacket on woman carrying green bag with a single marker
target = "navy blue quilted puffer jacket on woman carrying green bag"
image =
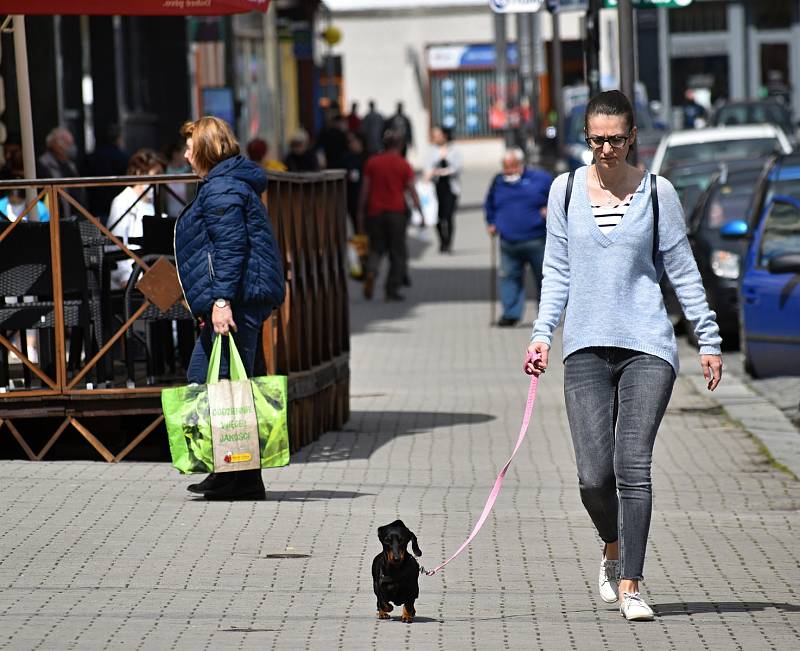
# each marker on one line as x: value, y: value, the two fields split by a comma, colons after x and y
x: 224, y: 244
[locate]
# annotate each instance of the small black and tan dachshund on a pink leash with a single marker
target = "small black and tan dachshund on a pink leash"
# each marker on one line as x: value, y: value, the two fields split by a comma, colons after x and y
x: 395, y: 573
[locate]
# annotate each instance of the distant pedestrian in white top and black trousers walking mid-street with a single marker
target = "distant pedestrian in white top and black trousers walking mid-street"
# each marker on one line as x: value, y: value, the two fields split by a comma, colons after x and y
x: 443, y: 168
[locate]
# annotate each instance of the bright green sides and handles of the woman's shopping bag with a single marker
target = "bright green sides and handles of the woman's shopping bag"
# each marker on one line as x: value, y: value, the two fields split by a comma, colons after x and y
x: 187, y: 414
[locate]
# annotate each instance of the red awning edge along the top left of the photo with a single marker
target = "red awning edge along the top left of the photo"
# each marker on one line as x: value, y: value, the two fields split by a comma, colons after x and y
x: 133, y: 7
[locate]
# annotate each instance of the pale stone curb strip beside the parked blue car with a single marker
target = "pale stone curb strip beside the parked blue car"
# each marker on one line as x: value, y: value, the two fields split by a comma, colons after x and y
x: 759, y: 417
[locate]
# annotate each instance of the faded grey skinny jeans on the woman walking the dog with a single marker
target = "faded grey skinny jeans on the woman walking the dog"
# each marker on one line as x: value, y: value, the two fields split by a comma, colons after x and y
x: 615, y: 401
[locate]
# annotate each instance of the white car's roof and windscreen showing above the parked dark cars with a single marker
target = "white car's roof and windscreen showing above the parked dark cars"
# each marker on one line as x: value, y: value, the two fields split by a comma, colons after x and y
x: 718, y: 144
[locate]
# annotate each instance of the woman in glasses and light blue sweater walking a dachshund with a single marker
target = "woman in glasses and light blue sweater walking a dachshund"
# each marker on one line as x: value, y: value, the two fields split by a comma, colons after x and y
x: 610, y: 231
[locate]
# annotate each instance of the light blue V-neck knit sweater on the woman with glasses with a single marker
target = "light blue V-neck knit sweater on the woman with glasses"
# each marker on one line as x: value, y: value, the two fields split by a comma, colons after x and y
x: 608, y: 282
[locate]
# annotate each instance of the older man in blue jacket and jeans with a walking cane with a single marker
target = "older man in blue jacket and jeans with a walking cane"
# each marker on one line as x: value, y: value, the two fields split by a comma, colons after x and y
x: 516, y: 207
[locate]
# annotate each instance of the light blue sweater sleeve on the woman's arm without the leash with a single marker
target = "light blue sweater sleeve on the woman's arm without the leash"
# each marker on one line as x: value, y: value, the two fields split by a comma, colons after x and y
x: 681, y: 268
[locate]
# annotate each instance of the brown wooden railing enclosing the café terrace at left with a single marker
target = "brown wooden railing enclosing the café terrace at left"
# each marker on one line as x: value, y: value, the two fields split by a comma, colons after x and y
x: 79, y: 381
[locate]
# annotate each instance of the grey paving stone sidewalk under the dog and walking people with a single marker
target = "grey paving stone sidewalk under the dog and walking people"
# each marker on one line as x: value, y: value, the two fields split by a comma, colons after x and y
x: 96, y: 556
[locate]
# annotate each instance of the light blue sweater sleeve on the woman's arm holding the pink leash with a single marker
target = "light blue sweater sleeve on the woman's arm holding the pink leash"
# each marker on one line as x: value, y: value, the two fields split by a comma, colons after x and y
x: 555, y: 281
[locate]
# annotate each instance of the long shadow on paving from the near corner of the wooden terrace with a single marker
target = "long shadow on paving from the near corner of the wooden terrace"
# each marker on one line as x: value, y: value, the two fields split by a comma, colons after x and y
x: 369, y: 430
